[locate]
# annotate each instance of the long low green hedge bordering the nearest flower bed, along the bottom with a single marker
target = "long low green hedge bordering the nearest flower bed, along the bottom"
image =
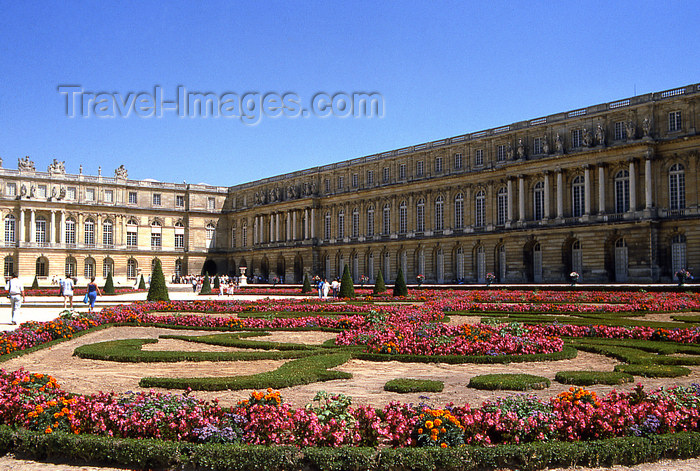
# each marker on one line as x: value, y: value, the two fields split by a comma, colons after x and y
x: 158, y: 454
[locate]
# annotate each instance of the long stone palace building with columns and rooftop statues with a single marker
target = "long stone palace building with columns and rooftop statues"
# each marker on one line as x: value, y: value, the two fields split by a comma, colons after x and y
x: 609, y: 191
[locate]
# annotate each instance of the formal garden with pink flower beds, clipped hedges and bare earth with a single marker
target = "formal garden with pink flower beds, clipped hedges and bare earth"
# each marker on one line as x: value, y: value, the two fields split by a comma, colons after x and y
x: 433, y: 379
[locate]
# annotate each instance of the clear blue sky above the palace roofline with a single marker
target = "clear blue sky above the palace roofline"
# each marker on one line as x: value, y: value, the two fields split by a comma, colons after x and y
x: 443, y: 69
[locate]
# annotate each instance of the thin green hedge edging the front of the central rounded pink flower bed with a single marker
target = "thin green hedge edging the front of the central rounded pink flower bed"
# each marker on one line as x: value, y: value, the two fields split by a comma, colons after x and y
x: 566, y: 354
